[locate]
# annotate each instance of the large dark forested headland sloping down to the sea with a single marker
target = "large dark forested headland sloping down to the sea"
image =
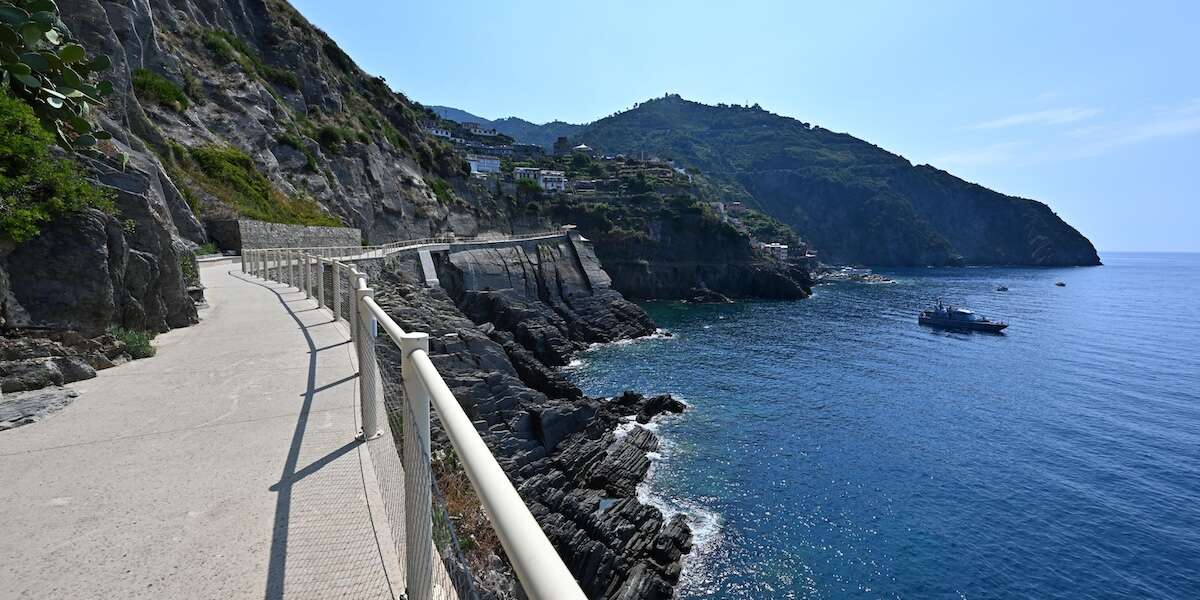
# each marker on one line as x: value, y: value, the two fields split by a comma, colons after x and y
x: 856, y: 202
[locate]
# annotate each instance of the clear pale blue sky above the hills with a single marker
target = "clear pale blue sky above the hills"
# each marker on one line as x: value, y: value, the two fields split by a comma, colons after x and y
x: 1090, y: 107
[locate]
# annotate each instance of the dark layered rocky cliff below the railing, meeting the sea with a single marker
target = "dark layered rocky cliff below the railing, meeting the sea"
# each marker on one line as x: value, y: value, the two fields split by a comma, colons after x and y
x: 503, y: 317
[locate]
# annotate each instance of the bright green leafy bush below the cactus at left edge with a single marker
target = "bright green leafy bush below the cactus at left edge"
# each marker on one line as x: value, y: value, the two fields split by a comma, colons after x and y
x: 35, y: 188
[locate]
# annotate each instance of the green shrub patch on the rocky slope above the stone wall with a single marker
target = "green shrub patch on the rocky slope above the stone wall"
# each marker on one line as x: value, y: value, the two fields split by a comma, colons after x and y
x: 231, y: 177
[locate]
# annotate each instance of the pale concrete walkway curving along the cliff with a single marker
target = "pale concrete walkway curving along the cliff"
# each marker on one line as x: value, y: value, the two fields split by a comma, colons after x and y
x: 225, y: 467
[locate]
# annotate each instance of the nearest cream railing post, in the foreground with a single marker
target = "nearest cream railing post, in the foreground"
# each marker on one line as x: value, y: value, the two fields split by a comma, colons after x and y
x: 418, y: 471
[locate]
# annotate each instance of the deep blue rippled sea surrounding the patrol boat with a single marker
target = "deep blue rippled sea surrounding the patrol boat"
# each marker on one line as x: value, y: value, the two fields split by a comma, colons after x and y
x: 835, y: 448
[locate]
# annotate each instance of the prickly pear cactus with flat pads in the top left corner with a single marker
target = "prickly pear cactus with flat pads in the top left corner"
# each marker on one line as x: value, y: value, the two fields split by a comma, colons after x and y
x: 45, y: 68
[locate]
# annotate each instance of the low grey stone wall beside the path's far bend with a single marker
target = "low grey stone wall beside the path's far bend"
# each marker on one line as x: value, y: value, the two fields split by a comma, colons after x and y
x: 247, y: 235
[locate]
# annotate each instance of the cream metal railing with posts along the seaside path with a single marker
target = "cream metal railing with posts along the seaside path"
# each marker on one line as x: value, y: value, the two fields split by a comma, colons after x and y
x: 538, y: 567
